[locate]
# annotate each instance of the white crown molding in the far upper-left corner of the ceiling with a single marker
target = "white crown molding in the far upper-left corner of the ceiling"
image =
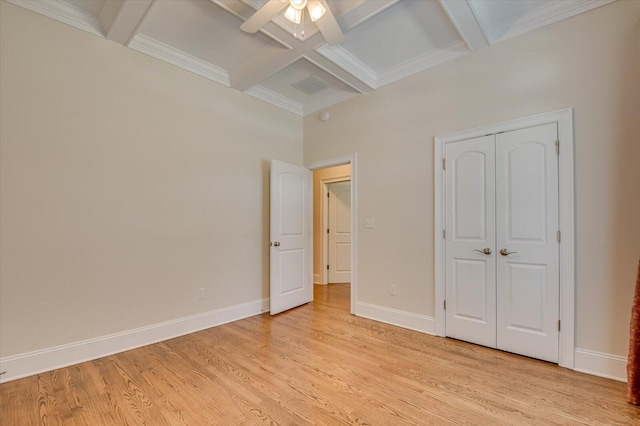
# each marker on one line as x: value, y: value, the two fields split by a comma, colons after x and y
x: 65, y: 13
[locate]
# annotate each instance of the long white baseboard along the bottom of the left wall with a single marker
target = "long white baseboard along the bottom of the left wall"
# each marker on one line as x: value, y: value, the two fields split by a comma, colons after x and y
x: 28, y: 364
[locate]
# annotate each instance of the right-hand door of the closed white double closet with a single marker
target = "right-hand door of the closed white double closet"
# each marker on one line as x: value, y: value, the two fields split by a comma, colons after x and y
x: 527, y: 249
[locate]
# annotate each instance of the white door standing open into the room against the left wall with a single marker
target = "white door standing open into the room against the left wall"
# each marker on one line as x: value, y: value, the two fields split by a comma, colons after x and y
x: 291, y: 261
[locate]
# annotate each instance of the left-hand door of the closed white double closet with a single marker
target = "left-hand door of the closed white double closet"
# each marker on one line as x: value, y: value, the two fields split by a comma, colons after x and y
x: 470, y: 227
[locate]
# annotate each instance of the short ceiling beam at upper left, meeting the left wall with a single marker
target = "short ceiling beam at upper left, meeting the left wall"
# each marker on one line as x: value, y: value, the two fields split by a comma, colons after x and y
x: 122, y: 18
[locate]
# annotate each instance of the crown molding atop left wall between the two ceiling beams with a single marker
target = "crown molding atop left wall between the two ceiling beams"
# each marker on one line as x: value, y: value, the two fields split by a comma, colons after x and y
x: 177, y: 57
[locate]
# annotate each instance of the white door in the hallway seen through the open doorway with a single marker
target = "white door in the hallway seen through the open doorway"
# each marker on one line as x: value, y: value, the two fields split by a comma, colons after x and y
x: 339, y: 232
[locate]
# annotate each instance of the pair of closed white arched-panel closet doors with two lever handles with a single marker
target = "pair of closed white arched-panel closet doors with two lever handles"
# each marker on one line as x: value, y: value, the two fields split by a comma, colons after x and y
x: 502, y: 241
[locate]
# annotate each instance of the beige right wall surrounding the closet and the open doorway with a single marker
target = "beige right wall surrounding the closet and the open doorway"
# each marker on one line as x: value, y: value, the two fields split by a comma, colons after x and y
x: 591, y: 63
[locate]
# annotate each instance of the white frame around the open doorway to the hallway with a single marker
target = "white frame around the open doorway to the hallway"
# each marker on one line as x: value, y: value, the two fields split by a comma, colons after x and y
x: 340, y: 161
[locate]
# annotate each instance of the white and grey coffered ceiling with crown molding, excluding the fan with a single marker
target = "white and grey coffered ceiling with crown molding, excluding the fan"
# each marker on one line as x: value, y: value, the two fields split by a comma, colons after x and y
x: 385, y: 40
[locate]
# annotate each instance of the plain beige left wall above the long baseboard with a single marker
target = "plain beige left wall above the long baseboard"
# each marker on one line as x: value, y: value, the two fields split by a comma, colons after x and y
x: 126, y: 184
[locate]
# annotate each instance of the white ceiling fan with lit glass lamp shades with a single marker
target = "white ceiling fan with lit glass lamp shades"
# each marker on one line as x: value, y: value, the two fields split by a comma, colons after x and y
x: 318, y: 12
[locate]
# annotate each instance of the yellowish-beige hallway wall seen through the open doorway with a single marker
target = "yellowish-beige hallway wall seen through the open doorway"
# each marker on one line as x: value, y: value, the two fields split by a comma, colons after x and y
x: 331, y: 174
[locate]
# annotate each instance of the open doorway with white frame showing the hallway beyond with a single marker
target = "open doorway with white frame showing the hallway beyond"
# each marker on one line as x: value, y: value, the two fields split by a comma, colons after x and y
x: 335, y: 255
